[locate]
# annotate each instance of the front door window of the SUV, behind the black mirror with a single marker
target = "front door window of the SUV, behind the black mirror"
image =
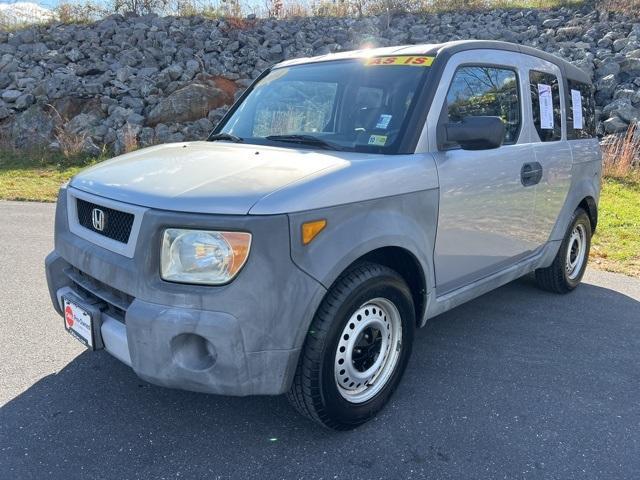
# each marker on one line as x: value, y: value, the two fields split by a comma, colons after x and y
x: 485, y: 91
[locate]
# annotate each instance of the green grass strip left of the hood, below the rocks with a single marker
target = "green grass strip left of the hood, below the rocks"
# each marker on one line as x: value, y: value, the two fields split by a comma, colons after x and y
x: 37, y: 176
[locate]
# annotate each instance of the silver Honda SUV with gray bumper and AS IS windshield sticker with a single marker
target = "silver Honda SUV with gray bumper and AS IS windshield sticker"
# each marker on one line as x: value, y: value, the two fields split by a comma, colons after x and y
x: 340, y: 204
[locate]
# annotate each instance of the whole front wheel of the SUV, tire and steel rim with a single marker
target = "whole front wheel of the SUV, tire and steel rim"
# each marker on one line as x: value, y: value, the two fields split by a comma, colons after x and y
x: 357, y: 348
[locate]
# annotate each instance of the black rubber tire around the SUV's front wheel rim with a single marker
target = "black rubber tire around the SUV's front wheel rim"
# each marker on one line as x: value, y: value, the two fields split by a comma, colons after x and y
x: 314, y: 392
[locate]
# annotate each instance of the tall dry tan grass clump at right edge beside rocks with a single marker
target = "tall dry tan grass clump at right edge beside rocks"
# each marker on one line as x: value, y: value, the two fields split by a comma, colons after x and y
x: 621, y: 153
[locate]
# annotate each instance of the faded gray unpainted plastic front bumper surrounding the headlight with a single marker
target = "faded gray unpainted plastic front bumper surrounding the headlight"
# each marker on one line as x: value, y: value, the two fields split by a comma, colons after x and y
x: 254, y: 327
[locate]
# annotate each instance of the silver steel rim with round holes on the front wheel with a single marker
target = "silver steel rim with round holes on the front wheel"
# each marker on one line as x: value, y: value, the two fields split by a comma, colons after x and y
x: 368, y: 350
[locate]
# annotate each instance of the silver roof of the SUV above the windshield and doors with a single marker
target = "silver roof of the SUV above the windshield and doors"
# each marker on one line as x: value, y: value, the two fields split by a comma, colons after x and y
x: 447, y: 49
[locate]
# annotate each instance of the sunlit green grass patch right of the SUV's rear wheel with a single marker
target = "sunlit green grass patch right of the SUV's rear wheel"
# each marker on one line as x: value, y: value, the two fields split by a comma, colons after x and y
x: 616, y: 245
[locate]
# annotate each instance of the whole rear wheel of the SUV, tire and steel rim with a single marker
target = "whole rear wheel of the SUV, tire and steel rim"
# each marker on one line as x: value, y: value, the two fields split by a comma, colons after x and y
x: 570, y: 263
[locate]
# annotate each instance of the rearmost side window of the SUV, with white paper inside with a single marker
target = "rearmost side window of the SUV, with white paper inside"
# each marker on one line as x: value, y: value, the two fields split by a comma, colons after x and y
x: 581, y: 111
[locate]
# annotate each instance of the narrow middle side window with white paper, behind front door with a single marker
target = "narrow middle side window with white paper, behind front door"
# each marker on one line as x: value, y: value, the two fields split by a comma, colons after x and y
x: 545, y: 100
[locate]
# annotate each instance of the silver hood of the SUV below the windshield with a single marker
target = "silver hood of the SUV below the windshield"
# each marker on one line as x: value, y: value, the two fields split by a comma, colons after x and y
x: 203, y: 177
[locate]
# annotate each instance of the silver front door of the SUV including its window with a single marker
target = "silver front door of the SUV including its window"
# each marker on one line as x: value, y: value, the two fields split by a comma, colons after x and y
x: 486, y: 217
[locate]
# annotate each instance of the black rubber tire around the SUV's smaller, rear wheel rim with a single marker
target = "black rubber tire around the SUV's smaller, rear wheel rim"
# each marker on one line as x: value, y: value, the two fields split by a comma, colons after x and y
x: 556, y: 278
